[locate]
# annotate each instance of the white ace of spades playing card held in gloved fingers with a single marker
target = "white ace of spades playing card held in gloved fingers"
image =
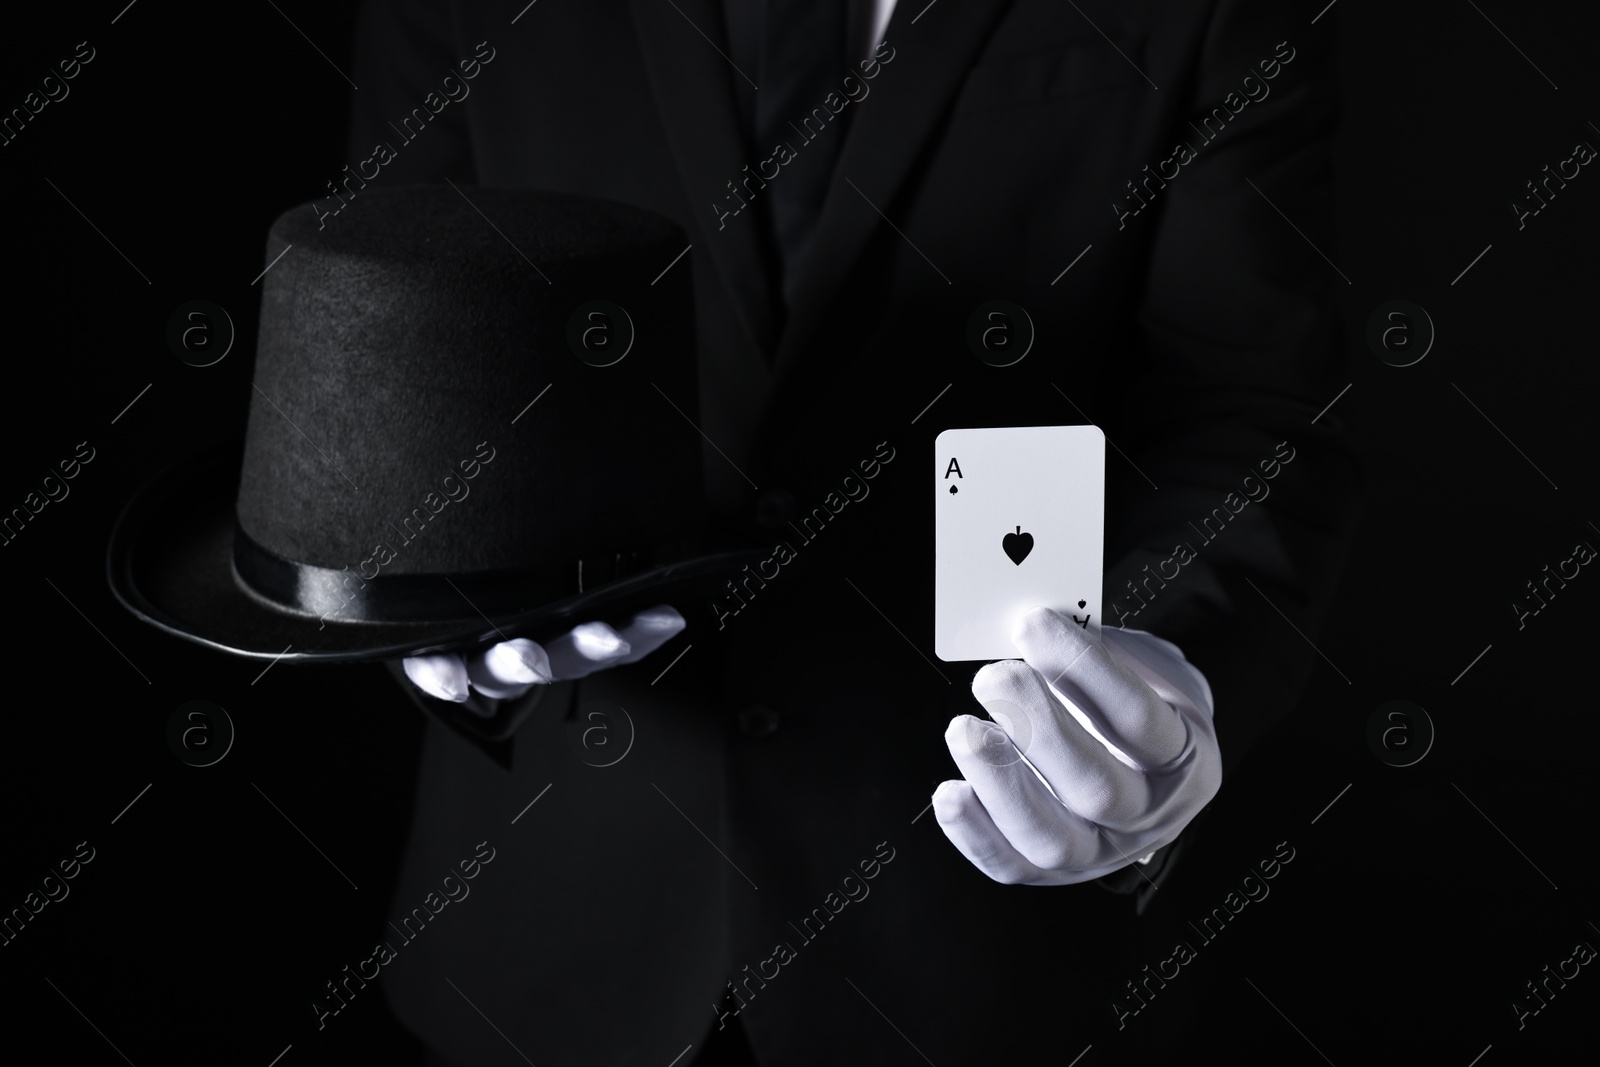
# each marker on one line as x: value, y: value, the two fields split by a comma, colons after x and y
x: 1020, y: 524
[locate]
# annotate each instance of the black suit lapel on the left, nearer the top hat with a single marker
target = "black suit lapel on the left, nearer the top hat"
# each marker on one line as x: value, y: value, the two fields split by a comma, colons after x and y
x: 700, y: 121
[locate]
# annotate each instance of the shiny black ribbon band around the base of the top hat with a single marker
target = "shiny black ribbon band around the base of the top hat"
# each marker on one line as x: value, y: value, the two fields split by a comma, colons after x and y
x: 353, y: 597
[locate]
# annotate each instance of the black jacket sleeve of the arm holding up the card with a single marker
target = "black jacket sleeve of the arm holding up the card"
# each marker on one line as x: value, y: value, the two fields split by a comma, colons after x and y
x: 1236, y: 553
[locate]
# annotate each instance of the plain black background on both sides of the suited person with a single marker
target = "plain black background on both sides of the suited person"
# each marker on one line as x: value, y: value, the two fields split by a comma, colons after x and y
x: 1417, y: 906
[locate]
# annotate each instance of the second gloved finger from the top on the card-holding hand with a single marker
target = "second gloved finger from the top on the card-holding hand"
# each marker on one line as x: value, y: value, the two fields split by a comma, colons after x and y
x: 1081, y: 770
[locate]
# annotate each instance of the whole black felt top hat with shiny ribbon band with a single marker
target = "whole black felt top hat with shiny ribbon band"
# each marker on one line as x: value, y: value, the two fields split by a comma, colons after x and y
x: 468, y: 423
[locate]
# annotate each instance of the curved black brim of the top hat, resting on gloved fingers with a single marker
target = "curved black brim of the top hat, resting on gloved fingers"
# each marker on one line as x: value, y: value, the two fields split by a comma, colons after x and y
x: 170, y: 562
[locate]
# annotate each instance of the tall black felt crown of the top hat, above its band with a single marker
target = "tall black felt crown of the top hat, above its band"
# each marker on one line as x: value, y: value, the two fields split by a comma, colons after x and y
x: 401, y: 348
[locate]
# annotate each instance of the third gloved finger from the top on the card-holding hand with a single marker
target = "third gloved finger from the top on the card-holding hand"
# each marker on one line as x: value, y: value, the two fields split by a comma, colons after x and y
x: 1017, y: 801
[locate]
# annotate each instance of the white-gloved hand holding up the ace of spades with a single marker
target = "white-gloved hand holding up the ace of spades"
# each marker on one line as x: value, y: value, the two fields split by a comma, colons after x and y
x: 1121, y: 754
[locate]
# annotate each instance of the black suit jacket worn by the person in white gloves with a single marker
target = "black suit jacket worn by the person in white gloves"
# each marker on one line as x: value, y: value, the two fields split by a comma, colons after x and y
x: 798, y: 741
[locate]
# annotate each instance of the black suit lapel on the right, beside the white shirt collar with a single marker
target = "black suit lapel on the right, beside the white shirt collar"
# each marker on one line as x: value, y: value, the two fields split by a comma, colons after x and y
x: 910, y: 98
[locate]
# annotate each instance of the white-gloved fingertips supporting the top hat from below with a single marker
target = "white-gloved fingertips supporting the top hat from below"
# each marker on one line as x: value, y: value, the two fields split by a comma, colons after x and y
x: 510, y: 669
